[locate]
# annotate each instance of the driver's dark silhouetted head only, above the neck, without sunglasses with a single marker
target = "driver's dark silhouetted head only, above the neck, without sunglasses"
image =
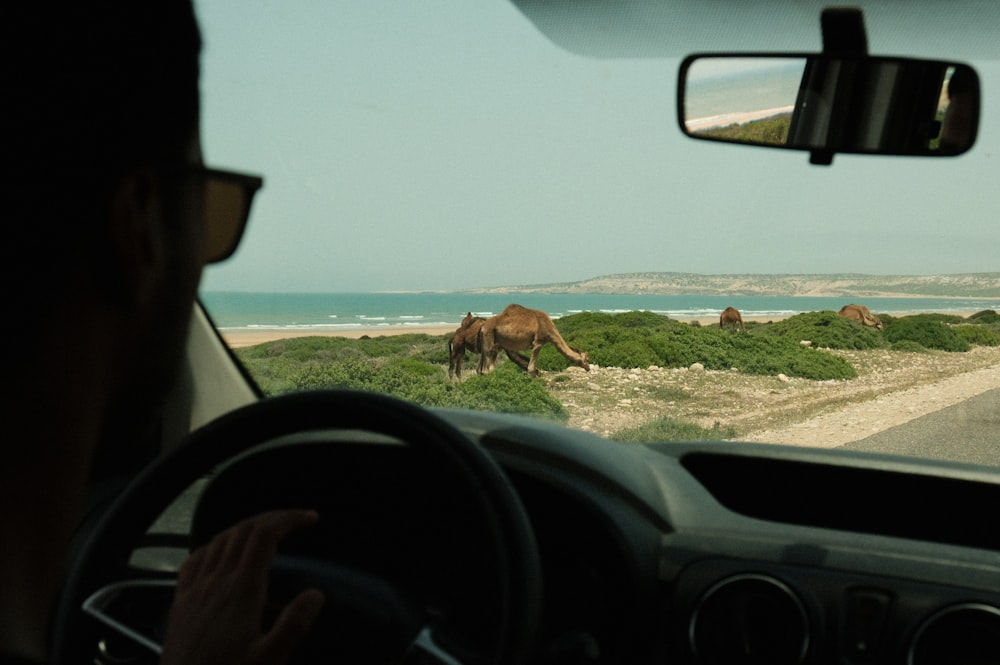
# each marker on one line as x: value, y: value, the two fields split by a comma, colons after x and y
x: 100, y: 115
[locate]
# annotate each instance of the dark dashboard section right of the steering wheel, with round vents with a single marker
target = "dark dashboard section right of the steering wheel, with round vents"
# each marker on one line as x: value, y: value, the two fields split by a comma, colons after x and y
x: 731, y: 553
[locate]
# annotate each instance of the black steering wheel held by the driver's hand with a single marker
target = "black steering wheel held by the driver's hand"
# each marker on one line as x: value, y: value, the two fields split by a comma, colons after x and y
x: 103, y: 569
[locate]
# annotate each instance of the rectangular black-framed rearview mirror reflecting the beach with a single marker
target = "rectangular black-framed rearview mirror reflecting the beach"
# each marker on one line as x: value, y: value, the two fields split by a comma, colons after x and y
x: 830, y: 104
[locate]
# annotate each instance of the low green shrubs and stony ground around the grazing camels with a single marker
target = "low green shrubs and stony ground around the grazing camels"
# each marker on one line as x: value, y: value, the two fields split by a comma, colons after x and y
x: 414, y: 366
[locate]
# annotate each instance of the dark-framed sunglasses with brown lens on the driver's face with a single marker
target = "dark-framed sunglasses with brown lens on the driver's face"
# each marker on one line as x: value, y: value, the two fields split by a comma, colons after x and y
x: 227, y: 199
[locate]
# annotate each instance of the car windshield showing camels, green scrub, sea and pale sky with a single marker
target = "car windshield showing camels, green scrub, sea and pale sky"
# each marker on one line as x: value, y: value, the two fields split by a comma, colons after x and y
x: 428, y: 162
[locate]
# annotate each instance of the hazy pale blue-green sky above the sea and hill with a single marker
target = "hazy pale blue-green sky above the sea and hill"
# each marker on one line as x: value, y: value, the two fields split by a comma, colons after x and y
x: 436, y: 144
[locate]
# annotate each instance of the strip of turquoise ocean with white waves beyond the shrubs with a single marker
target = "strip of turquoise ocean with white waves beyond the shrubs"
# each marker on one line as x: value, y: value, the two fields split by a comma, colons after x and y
x: 373, y: 311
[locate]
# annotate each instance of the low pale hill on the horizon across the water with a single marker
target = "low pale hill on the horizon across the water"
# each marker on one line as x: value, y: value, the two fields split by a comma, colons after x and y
x: 964, y: 285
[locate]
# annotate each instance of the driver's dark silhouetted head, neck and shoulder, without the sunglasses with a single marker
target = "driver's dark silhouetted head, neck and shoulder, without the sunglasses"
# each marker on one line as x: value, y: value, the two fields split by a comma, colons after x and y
x: 100, y: 259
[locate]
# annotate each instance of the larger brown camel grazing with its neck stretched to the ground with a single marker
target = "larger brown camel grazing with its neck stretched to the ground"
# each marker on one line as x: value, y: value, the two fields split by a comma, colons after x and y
x: 518, y: 328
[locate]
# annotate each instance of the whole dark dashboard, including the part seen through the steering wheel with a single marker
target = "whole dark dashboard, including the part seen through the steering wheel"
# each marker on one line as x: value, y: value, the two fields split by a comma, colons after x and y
x: 710, y: 553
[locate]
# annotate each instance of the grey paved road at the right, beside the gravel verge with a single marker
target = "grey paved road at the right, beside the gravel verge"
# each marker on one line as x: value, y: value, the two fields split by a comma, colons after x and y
x: 966, y: 432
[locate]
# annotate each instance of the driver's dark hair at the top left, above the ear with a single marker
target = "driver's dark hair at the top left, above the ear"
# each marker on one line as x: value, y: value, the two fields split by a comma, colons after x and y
x: 92, y: 88
